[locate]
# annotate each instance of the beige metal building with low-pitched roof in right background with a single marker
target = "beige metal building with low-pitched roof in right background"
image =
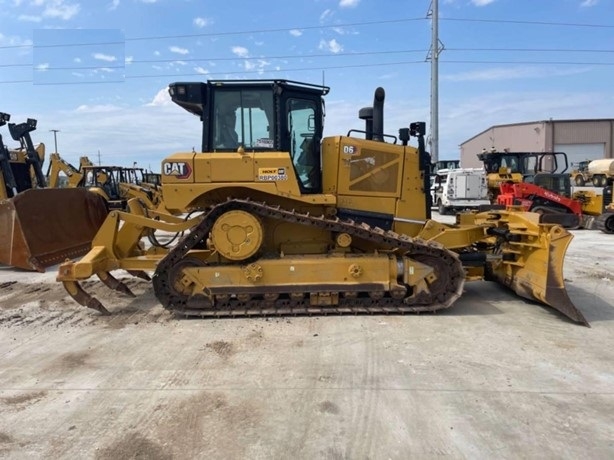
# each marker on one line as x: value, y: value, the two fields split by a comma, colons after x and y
x: 581, y: 139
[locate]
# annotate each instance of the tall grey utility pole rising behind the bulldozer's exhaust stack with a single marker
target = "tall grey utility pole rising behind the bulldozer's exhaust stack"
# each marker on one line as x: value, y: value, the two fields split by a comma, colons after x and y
x: 433, y: 55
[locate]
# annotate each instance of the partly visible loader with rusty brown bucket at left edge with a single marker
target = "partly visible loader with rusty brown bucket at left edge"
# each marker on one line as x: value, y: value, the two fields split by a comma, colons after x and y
x: 40, y: 227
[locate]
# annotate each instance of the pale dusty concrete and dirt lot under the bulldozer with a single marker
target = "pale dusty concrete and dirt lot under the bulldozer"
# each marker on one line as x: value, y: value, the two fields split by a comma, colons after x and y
x: 493, y: 377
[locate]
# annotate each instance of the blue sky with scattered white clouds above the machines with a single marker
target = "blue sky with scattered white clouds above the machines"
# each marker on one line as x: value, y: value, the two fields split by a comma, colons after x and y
x: 97, y: 72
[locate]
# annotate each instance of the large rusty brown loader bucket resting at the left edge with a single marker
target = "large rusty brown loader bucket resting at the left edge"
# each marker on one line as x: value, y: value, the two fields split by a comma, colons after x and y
x: 43, y: 227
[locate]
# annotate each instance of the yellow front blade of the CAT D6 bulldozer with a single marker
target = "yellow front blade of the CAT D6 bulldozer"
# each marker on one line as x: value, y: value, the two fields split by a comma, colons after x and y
x: 535, y: 271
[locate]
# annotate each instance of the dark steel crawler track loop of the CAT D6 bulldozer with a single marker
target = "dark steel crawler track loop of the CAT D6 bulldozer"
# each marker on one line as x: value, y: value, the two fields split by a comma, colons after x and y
x: 448, y: 269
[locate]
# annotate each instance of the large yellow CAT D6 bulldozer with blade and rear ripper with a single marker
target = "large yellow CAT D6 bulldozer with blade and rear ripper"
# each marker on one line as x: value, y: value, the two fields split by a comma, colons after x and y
x: 284, y: 221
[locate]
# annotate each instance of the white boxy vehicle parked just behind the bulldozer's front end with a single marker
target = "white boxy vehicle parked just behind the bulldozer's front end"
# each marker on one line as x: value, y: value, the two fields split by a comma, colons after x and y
x: 457, y: 189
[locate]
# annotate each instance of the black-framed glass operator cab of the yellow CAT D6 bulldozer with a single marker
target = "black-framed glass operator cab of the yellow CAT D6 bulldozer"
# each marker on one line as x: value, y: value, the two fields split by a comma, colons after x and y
x: 260, y: 116
